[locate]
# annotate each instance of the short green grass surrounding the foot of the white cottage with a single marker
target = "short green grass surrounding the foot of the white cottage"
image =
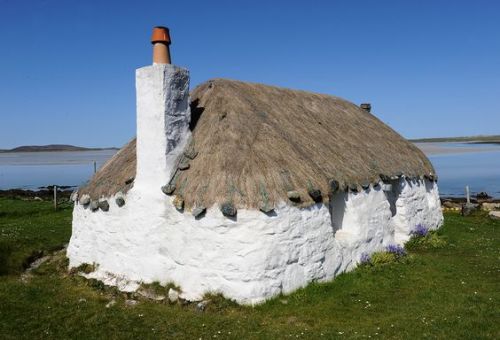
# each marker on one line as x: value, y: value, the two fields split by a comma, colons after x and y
x: 451, y: 291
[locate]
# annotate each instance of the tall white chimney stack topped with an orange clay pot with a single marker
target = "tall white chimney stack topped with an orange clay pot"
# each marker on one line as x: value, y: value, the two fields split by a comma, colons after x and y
x: 163, y: 114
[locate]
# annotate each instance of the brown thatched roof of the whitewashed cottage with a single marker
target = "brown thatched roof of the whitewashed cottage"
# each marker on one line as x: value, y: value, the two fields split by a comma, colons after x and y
x: 254, y: 143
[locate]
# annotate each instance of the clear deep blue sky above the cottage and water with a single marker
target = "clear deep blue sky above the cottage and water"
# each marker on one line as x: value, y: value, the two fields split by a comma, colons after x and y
x: 429, y: 68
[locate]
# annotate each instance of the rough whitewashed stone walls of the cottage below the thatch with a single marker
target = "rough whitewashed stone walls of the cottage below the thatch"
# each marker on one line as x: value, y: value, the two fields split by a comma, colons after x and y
x: 248, y: 259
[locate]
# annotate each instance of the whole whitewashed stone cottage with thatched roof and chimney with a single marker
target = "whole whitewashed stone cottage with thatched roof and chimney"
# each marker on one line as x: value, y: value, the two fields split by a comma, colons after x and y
x: 247, y: 189
